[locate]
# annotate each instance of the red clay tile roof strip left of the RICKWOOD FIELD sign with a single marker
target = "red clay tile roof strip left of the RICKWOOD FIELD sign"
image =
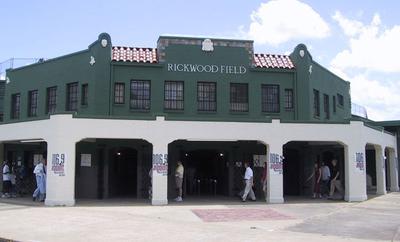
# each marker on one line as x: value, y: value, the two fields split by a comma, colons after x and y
x: 132, y: 54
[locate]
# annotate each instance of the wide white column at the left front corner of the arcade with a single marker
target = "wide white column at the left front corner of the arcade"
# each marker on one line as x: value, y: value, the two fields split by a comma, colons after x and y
x: 60, y: 184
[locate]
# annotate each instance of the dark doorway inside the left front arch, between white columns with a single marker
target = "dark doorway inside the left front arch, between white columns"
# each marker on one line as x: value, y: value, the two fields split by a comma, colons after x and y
x: 123, y: 173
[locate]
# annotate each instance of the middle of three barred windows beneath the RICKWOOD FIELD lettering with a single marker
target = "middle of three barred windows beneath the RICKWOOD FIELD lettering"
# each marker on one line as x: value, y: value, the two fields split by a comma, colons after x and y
x: 206, y: 96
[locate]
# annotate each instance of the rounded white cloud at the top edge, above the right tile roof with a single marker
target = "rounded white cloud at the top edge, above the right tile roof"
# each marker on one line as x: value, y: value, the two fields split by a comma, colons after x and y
x: 279, y: 21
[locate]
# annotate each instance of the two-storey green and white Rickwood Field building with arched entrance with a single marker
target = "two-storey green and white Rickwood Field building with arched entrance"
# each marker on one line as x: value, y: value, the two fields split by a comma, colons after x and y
x: 107, y: 115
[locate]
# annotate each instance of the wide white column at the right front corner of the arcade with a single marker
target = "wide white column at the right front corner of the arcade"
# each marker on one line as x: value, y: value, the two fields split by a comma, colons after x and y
x: 355, y: 173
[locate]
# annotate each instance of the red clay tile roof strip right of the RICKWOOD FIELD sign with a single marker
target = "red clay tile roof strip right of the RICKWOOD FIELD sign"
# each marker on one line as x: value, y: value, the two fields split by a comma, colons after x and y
x: 273, y: 61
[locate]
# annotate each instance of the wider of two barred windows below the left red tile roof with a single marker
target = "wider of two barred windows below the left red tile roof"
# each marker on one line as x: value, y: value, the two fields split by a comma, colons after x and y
x: 140, y: 95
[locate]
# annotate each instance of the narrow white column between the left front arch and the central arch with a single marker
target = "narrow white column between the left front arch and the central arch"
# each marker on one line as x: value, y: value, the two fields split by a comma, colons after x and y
x: 160, y: 173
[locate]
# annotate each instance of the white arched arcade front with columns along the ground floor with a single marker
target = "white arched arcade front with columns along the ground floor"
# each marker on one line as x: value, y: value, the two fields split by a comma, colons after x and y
x: 62, y: 132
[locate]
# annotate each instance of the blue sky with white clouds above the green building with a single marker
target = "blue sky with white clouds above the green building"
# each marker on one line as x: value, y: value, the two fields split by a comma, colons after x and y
x: 357, y: 40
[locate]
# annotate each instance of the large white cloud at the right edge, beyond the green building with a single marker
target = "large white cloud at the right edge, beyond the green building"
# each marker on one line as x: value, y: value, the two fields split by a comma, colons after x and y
x: 372, y: 48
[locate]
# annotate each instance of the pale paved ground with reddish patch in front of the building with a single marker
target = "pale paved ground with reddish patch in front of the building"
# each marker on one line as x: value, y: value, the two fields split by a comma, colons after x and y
x: 377, y: 219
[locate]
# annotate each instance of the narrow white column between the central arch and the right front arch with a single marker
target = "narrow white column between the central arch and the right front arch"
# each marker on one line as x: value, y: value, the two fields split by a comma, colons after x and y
x: 275, y: 173
